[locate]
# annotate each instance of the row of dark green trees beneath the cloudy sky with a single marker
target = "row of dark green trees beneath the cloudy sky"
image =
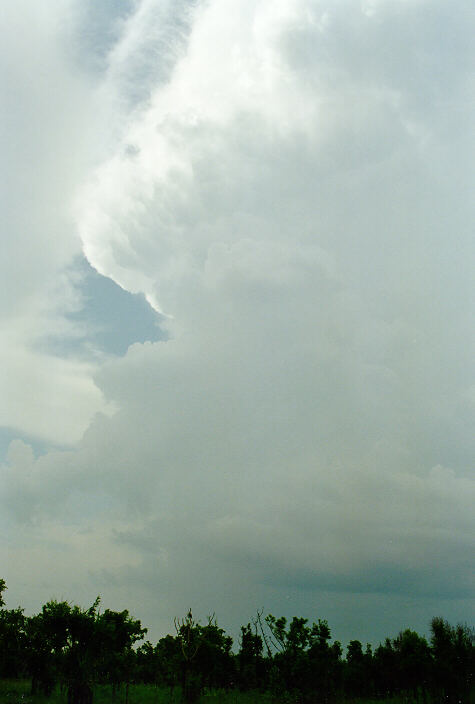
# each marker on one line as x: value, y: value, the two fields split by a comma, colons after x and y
x: 75, y: 649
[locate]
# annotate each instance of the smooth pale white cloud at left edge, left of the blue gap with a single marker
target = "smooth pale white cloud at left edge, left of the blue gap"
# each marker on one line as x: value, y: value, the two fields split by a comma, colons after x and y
x: 46, y: 117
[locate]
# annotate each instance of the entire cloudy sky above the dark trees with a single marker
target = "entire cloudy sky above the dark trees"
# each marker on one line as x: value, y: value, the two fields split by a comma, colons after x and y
x: 237, y: 308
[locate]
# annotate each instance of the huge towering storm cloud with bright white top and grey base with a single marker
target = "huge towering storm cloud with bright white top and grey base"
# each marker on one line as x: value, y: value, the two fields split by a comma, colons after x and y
x: 292, y: 193
